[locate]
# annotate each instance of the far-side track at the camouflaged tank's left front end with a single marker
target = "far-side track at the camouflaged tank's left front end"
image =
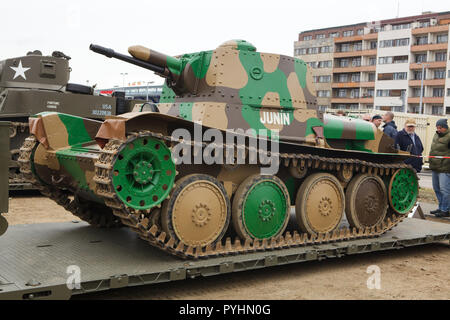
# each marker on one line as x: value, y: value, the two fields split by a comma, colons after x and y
x: 89, y: 212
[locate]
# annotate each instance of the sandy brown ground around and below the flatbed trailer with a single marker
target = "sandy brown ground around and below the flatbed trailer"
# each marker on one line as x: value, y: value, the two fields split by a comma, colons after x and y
x: 413, y: 273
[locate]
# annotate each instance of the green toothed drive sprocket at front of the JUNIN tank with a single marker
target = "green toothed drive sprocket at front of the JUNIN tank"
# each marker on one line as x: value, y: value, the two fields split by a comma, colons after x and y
x: 143, y: 173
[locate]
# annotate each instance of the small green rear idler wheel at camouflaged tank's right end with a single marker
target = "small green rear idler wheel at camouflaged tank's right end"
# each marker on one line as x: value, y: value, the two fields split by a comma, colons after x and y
x: 403, y: 191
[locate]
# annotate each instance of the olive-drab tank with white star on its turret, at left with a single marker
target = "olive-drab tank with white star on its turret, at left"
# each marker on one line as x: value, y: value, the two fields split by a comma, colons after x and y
x: 35, y: 83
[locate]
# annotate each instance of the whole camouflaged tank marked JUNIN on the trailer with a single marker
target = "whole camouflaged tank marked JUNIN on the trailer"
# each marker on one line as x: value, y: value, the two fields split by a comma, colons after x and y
x: 235, y: 146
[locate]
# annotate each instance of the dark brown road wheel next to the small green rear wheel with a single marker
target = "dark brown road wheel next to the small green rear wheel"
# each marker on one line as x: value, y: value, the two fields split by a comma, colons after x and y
x: 365, y: 201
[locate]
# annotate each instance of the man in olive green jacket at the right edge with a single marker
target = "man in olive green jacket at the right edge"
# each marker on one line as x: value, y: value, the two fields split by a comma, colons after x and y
x: 440, y: 147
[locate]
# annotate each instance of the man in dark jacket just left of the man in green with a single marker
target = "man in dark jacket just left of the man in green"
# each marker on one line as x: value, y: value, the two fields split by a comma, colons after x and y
x: 408, y: 140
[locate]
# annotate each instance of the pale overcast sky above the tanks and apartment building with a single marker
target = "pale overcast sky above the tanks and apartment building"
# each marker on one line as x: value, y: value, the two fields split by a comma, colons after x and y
x: 175, y: 26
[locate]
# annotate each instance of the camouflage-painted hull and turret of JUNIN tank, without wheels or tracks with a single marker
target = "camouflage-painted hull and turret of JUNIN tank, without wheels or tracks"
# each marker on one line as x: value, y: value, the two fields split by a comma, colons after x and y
x: 231, y: 87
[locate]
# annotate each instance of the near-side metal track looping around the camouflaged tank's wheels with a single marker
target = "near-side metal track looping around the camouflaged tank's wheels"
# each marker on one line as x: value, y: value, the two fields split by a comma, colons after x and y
x: 143, y: 223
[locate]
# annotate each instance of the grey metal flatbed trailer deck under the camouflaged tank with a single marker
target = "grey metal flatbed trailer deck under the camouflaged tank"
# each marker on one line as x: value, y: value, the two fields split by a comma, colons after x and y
x: 34, y: 259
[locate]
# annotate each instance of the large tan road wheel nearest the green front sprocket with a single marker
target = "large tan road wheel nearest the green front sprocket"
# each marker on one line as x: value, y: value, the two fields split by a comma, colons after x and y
x: 198, y: 211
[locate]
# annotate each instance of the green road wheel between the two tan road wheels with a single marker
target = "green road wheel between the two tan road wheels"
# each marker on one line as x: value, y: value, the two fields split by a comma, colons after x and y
x: 261, y: 207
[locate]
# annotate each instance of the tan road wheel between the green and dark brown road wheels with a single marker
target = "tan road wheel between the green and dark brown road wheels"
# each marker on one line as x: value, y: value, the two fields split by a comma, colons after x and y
x: 320, y: 204
